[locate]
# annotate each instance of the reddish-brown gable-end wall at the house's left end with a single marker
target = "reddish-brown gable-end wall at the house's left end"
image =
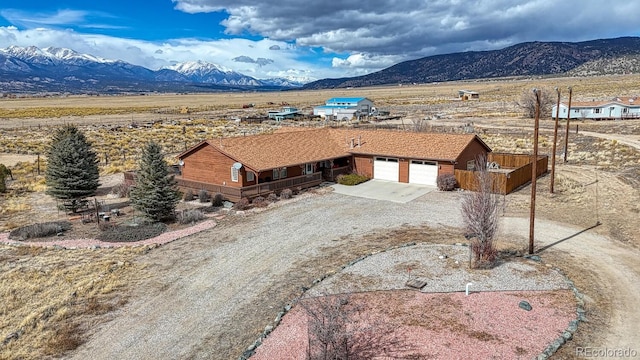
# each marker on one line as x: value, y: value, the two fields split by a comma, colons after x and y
x: 208, y: 165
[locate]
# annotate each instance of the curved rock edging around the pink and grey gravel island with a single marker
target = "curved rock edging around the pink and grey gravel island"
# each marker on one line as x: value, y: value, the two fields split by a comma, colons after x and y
x: 550, y: 349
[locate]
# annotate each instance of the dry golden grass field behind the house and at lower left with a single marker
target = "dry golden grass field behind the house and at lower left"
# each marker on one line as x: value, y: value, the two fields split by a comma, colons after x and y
x: 51, y: 296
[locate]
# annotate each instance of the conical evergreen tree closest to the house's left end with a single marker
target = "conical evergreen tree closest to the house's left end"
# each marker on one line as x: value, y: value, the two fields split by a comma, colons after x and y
x: 155, y: 192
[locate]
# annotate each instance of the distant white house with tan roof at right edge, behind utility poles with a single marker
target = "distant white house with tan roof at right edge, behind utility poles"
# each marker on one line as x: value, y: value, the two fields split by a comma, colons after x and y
x: 617, y: 108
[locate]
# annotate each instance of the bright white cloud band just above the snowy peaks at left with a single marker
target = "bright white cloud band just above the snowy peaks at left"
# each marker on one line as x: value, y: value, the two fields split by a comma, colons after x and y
x: 155, y: 55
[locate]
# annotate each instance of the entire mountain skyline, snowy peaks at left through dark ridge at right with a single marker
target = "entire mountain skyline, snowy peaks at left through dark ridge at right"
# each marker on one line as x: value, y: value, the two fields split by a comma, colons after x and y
x: 52, y: 69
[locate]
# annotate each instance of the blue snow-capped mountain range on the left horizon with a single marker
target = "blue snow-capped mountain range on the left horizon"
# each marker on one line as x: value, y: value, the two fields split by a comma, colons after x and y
x: 30, y: 69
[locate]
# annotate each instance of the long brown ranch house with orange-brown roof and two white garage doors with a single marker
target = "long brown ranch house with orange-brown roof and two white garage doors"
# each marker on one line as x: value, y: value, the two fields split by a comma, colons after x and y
x: 249, y: 166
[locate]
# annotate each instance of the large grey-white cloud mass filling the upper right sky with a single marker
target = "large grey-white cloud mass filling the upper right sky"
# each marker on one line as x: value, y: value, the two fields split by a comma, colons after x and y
x: 416, y: 28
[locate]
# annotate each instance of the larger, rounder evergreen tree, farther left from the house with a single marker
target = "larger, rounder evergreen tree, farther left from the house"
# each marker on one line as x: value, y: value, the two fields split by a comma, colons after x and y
x: 72, y: 167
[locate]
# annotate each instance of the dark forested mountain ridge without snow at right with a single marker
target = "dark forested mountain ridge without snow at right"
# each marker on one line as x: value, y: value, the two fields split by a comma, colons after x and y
x: 596, y: 57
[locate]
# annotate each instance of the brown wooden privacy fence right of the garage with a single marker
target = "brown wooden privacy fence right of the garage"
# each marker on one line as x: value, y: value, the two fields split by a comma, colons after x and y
x: 515, y: 171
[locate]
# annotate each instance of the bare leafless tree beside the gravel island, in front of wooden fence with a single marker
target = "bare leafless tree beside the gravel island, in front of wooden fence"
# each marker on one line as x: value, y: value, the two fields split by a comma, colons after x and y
x: 480, y: 216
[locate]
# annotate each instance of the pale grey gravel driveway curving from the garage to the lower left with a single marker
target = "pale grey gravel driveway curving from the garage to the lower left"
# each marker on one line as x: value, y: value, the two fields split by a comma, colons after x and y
x: 216, y: 274
